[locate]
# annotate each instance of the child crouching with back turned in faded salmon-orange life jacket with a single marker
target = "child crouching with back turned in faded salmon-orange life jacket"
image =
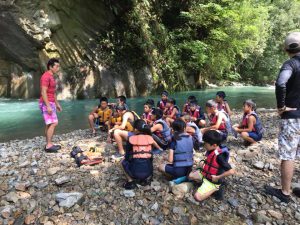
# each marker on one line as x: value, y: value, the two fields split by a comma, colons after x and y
x: 138, y: 162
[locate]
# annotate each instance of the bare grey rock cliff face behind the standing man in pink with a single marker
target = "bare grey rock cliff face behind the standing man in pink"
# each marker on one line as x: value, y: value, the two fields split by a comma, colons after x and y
x: 34, y: 31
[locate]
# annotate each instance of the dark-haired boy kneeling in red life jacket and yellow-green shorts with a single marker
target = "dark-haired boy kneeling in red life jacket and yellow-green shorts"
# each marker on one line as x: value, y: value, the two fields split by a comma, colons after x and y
x: 214, y: 168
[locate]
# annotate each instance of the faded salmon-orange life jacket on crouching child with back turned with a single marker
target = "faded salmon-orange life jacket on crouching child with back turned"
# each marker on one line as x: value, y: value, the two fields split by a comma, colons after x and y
x: 141, y: 146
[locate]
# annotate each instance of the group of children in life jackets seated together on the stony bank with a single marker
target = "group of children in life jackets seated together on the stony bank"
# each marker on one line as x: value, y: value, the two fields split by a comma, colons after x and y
x: 165, y: 127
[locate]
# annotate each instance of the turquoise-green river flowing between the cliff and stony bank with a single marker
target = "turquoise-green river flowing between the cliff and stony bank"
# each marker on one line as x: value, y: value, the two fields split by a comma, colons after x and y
x: 21, y: 119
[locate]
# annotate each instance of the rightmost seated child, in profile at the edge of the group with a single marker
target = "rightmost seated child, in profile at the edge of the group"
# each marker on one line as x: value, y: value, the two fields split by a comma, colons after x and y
x: 250, y: 129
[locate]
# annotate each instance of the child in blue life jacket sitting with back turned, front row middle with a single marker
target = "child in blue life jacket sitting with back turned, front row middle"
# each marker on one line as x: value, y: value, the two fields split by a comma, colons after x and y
x: 180, y: 158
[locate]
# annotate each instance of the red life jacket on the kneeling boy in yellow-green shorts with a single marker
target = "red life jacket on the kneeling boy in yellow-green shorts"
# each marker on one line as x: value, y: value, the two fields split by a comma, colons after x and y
x: 211, y: 165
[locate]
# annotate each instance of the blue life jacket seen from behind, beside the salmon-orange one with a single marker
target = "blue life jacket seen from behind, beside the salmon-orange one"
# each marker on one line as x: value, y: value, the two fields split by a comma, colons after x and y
x: 183, y: 152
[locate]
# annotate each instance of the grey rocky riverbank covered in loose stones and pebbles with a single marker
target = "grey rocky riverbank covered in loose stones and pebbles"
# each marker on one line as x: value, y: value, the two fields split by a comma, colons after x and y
x: 40, y: 188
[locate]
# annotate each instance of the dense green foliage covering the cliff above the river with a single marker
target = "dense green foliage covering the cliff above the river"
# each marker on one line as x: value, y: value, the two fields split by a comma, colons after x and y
x: 187, y: 42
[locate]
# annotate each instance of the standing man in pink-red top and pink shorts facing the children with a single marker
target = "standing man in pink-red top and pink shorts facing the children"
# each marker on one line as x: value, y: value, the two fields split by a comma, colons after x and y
x: 49, y: 104
